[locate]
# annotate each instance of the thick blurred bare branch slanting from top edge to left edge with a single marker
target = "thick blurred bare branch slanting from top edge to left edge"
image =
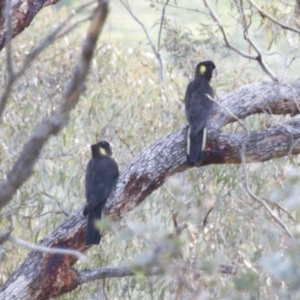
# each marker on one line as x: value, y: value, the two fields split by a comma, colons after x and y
x: 23, y: 168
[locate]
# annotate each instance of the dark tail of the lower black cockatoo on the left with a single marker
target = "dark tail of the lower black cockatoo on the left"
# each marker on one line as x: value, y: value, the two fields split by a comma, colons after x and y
x: 93, y: 235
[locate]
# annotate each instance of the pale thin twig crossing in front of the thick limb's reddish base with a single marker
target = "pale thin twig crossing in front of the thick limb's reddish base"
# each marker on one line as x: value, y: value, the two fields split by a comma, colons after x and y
x: 40, y: 248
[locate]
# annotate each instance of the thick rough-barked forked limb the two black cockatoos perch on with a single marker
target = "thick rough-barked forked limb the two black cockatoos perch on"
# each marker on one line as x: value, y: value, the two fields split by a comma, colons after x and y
x: 149, y: 170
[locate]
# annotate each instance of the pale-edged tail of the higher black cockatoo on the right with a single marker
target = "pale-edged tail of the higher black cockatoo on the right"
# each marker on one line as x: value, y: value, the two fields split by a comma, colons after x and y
x: 195, y: 147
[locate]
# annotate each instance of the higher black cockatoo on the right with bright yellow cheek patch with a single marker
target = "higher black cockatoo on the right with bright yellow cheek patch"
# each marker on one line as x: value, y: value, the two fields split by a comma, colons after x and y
x: 198, y: 107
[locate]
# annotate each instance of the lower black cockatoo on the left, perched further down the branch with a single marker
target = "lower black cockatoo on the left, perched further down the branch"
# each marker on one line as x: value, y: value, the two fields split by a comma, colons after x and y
x: 102, y: 173
